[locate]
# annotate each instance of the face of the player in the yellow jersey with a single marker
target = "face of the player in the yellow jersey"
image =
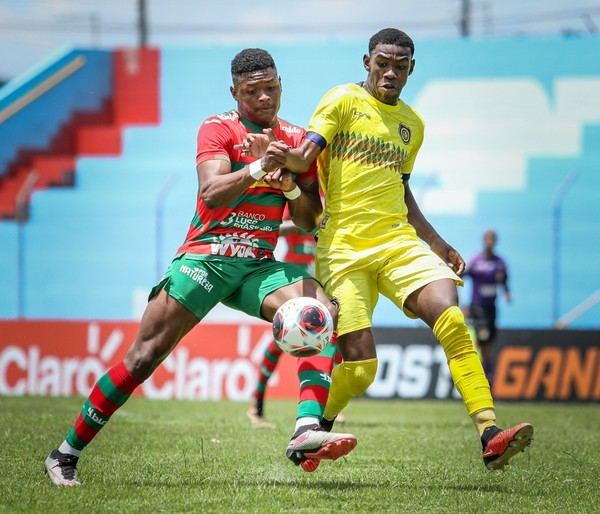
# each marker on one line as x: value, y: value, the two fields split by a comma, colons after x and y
x: 389, y: 67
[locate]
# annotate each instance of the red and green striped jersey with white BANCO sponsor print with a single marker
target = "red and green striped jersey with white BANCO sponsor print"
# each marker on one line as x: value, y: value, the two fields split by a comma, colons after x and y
x: 249, y: 226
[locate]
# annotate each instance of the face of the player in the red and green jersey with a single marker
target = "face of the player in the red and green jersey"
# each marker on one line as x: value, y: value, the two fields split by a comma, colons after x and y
x: 258, y: 95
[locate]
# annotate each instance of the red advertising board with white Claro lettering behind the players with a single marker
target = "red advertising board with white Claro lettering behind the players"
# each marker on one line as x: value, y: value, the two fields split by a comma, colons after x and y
x: 212, y: 363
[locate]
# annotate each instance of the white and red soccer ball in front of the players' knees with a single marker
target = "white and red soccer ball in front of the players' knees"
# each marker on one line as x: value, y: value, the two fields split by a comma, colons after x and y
x: 302, y: 326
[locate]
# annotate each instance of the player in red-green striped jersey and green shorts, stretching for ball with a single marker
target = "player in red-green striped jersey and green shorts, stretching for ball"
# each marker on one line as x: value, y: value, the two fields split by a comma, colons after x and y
x: 227, y: 257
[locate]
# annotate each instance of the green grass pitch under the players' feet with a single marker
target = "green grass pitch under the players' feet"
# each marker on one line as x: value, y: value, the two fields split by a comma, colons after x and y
x: 412, y: 456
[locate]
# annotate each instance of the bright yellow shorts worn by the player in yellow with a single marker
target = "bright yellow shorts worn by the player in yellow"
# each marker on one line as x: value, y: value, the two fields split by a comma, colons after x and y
x: 395, y: 268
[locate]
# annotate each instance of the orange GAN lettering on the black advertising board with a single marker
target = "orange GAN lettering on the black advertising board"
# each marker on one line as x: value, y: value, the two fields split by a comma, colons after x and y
x: 548, y: 373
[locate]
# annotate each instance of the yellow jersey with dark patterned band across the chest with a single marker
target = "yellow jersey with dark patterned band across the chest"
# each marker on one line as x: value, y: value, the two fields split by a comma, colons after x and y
x: 370, y: 145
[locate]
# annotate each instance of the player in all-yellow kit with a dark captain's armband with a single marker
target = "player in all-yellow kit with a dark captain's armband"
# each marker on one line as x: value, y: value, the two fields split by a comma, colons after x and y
x: 374, y: 238
